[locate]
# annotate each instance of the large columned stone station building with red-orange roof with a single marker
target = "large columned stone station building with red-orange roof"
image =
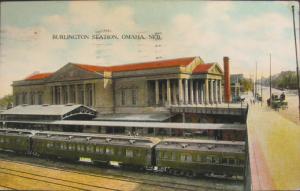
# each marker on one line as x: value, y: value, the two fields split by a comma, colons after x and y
x: 131, y: 88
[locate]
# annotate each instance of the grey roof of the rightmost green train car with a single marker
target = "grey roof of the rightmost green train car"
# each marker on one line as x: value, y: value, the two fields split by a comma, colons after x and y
x: 202, y: 145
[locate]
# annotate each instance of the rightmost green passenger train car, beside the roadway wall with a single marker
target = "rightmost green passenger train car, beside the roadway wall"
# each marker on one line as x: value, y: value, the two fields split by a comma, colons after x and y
x: 191, y: 157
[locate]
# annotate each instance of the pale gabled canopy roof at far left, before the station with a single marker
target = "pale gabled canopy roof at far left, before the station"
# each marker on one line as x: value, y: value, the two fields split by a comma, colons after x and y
x: 48, y: 112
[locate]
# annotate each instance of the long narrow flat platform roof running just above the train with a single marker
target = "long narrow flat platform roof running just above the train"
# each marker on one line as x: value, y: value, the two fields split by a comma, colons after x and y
x: 165, y: 125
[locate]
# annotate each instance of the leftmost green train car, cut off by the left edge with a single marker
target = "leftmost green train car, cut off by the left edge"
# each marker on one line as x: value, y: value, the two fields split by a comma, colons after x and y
x: 15, y: 140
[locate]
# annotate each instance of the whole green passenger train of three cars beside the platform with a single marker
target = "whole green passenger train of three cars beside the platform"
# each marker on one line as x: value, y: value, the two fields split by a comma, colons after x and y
x: 176, y: 156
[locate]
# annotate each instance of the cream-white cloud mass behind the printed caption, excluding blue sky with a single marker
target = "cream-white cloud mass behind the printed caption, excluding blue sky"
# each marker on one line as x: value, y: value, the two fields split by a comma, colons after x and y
x: 213, y: 31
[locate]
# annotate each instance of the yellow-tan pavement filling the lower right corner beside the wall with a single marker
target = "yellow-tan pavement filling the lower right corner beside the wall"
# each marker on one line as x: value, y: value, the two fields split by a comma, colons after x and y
x: 274, y: 149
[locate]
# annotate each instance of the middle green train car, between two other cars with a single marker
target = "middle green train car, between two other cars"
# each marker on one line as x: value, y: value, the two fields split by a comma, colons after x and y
x: 123, y: 150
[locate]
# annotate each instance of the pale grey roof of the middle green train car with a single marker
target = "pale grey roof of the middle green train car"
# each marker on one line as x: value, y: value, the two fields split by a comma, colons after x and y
x: 98, y: 138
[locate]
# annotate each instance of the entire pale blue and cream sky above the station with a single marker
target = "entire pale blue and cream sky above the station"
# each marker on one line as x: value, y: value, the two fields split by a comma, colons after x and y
x: 246, y: 32
